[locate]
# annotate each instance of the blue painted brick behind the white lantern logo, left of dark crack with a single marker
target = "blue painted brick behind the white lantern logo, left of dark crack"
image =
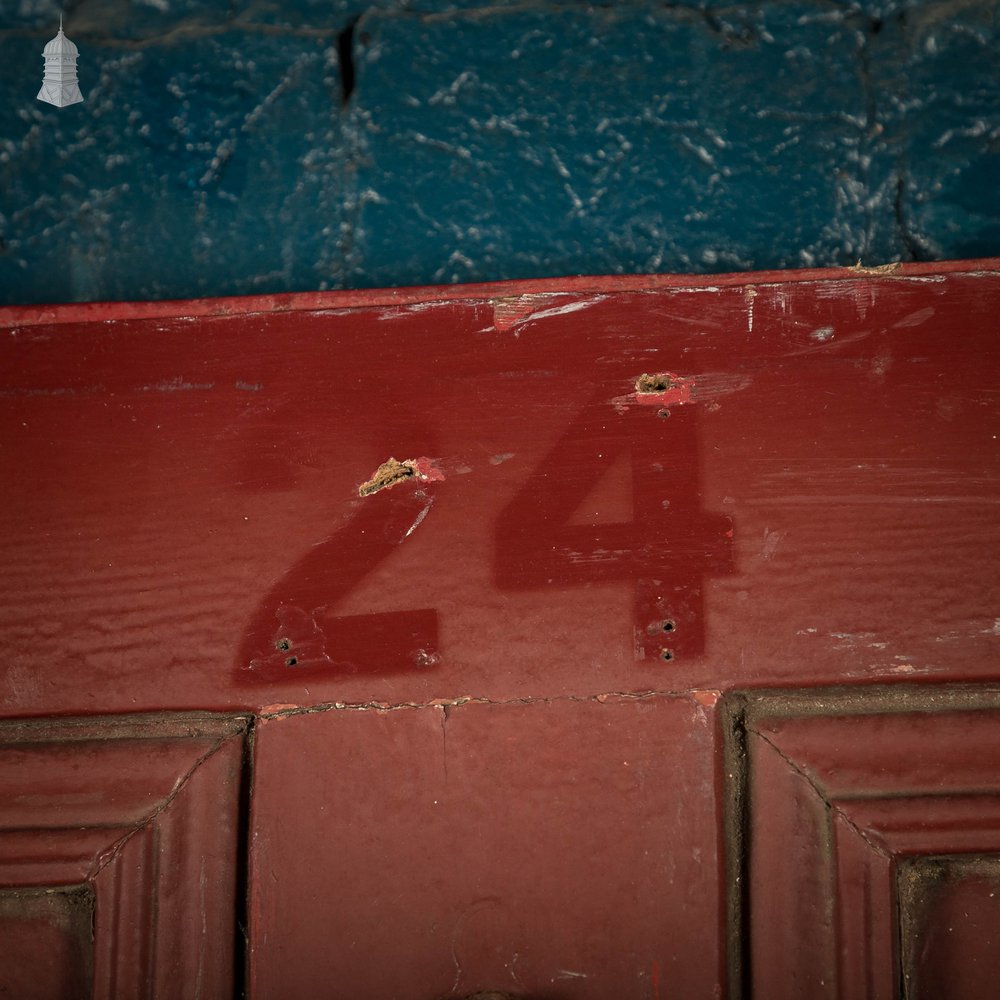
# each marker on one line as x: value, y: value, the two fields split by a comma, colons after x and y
x: 211, y: 165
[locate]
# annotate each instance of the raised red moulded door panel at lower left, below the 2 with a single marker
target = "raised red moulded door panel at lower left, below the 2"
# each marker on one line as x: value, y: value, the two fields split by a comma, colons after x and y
x: 119, y: 850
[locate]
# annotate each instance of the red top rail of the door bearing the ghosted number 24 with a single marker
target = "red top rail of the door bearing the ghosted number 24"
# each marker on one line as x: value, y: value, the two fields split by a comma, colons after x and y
x: 180, y: 485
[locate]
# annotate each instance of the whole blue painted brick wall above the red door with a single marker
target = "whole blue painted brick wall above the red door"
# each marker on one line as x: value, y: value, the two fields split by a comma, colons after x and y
x: 216, y: 154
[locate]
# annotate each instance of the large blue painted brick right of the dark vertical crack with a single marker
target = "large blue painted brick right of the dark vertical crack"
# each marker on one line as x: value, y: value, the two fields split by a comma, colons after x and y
x: 533, y: 142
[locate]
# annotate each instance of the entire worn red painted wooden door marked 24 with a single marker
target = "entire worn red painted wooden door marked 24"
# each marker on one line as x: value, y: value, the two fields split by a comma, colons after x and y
x: 596, y: 638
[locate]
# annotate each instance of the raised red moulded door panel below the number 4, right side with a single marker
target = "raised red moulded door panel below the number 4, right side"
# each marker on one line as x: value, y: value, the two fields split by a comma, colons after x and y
x: 864, y: 832
